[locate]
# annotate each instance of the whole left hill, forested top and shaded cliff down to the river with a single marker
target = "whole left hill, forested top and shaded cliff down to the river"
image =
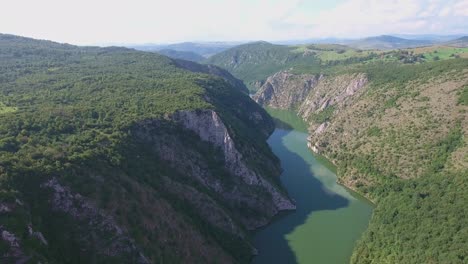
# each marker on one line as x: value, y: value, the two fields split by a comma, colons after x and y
x: 108, y: 155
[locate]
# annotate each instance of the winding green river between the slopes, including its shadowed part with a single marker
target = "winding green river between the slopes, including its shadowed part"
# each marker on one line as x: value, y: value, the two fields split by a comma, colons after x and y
x: 329, y: 218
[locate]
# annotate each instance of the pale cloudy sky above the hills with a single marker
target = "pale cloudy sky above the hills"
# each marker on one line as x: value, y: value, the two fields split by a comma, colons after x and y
x: 86, y: 22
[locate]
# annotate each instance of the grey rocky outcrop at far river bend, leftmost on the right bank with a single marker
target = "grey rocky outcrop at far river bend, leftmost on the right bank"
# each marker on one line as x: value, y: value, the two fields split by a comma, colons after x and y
x: 285, y: 90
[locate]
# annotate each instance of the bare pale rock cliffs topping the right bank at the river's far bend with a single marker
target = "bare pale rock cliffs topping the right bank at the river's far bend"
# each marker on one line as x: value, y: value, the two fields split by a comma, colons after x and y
x: 310, y: 95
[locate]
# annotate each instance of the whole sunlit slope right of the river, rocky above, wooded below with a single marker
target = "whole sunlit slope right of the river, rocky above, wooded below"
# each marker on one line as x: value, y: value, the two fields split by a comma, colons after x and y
x: 397, y: 134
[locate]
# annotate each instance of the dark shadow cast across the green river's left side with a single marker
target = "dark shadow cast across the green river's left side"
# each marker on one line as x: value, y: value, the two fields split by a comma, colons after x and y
x: 310, y: 196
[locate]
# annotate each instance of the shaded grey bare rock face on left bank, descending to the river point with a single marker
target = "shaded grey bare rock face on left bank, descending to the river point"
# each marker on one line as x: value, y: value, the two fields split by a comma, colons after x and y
x: 243, y: 188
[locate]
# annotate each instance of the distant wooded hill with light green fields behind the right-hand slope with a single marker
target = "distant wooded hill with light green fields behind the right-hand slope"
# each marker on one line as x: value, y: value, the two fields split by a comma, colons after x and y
x: 255, y: 62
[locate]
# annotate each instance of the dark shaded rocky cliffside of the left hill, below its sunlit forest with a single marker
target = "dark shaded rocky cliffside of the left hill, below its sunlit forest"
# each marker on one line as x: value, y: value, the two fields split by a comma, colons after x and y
x: 206, y: 196
